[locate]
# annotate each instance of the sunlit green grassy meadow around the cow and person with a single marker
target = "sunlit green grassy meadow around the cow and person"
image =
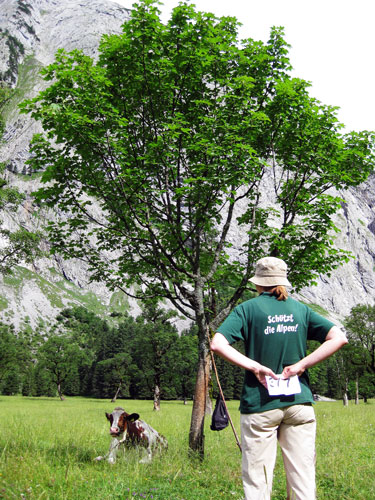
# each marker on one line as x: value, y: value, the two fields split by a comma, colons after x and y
x: 47, y: 449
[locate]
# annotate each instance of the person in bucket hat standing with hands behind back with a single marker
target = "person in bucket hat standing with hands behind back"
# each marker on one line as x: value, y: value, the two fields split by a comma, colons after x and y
x: 276, y: 401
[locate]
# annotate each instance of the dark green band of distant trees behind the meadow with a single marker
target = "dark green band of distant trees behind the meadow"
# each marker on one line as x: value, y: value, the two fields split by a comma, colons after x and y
x: 92, y: 358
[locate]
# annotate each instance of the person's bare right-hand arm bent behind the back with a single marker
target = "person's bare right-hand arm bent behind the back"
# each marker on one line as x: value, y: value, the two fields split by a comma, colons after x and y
x: 335, y: 339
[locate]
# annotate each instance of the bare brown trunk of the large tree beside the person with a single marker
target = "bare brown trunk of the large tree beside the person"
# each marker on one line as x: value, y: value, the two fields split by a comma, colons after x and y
x: 196, y: 435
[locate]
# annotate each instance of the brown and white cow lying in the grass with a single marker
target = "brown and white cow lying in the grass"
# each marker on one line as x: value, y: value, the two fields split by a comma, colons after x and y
x: 128, y: 430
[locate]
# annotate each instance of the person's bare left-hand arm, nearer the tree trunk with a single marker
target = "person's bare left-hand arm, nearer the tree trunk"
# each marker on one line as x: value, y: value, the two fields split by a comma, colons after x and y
x: 221, y: 347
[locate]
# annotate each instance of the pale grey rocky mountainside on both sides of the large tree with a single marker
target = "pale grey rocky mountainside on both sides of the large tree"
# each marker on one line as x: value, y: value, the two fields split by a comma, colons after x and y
x: 31, y: 31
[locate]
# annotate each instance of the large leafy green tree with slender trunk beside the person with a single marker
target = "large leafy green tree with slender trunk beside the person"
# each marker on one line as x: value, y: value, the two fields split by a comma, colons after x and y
x: 177, y: 136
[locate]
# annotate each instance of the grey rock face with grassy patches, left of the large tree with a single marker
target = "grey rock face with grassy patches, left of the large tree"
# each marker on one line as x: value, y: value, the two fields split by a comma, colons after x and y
x: 31, y: 33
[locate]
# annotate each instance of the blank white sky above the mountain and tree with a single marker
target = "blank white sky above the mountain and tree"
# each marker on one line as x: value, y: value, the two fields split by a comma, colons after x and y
x: 333, y: 44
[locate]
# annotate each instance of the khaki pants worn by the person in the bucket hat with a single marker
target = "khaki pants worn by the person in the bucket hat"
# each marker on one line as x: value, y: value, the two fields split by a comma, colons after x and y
x: 294, y: 427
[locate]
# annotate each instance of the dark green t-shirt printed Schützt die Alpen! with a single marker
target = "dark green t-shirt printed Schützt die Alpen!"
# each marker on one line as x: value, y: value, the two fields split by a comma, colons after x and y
x: 275, y: 334
